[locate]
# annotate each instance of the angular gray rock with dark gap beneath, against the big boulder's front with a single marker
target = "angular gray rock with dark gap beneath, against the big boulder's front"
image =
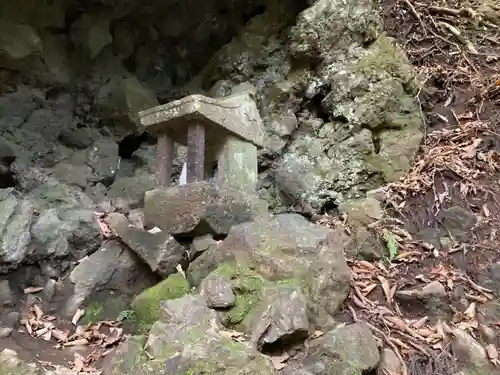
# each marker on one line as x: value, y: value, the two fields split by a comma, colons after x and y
x: 282, y: 316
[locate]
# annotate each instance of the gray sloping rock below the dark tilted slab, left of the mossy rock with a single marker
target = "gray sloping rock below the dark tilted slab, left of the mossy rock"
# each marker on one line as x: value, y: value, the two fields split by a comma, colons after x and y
x: 112, y: 267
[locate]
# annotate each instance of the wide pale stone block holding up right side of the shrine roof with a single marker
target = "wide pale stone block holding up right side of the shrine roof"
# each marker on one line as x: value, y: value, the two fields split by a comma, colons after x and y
x: 237, y: 166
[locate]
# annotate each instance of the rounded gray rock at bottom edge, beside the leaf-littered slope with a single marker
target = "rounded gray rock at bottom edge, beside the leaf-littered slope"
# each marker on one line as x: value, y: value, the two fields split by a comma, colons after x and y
x: 344, y: 350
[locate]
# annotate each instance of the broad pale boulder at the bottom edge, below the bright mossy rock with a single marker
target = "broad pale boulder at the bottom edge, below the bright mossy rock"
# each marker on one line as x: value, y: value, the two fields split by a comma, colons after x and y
x: 187, y: 338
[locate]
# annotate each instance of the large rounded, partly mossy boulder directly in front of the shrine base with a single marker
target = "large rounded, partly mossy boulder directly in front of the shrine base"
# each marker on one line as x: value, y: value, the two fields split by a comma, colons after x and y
x: 256, y: 257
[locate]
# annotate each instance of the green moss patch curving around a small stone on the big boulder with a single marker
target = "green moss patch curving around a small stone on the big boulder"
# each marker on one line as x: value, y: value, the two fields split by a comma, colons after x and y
x: 247, y: 286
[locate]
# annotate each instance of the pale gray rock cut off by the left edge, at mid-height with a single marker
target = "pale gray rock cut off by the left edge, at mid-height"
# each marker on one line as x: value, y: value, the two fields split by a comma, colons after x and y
x: 16, y: 216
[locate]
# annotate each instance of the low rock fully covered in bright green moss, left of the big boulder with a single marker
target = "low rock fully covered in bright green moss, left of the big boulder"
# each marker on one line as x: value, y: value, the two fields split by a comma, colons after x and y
x: 147, y: 304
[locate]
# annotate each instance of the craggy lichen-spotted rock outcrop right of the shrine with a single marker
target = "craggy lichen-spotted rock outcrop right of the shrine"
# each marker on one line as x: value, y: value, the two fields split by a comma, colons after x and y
x: 336, y: 94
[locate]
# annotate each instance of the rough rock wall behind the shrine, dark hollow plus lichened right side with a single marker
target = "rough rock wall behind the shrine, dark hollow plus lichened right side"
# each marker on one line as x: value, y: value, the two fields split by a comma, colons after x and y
x: 336, y: 96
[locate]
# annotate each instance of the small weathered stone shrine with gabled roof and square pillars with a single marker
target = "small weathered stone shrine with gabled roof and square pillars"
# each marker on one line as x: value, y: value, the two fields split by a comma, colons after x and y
x: 224, y: 132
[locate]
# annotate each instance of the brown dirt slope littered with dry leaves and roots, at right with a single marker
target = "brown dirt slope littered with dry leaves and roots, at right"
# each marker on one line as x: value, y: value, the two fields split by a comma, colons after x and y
x: 455, y: 48
